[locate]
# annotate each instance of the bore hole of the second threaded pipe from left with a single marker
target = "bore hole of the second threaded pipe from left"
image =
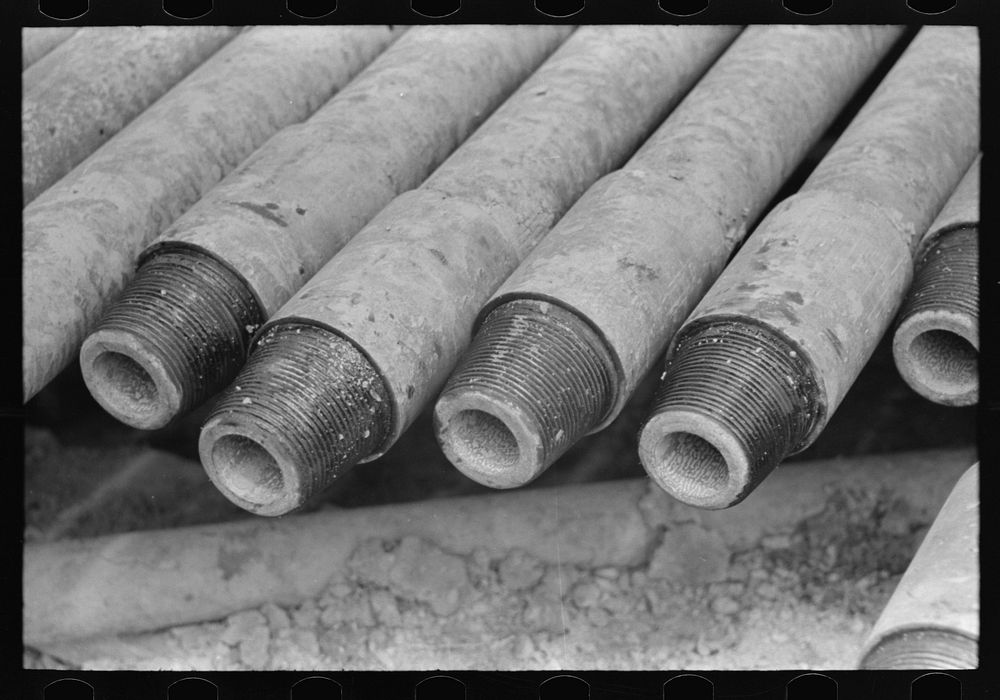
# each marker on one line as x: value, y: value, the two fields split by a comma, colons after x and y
x: 247, y: 469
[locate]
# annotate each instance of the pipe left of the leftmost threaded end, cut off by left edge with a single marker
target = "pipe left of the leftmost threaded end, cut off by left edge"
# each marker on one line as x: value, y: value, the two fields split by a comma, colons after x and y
x: 82, y: 236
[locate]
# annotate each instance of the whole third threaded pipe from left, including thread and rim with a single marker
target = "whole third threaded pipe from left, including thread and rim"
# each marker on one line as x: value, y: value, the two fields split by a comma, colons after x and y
x: 568, y: 337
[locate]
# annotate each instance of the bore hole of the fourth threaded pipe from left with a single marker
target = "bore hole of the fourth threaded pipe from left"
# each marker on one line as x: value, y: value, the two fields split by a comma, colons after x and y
x: 691, y: 465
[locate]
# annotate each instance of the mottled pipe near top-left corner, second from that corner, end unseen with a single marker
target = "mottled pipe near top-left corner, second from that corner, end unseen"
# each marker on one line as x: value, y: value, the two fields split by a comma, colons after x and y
x: 86, y: 90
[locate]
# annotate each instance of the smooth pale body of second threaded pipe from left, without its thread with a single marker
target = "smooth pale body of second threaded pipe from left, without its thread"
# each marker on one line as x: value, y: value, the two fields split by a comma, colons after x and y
x: 406, y: 289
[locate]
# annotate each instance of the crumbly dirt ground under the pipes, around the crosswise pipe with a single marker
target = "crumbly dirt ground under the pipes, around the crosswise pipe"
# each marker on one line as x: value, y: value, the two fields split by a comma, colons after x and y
x: 803, y: 598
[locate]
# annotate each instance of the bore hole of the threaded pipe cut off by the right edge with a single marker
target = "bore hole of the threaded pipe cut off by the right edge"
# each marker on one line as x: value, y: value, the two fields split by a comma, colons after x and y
x: 944, y: 361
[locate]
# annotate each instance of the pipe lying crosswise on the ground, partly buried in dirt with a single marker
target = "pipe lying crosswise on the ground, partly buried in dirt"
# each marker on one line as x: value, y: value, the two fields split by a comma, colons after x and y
x: 149, y: 580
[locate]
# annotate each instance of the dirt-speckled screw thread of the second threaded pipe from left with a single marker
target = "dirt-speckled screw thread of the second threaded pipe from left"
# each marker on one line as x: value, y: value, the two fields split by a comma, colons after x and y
x: 311, y: 391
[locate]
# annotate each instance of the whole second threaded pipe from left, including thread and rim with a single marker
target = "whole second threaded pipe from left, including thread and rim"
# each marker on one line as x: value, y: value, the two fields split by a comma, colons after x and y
x: 393, y: 310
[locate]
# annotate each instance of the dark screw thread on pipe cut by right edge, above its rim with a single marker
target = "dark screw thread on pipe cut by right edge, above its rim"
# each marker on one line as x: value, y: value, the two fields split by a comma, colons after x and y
x: 946, y: 276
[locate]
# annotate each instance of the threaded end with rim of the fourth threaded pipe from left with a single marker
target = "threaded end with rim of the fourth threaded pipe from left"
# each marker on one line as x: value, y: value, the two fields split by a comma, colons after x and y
x: 735, y: 399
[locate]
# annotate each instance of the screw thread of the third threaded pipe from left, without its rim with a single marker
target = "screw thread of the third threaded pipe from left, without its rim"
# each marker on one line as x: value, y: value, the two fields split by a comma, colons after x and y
x: 545, y: 362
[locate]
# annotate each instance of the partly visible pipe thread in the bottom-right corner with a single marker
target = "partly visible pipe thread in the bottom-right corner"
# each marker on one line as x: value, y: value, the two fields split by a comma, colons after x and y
x: 927, y: 648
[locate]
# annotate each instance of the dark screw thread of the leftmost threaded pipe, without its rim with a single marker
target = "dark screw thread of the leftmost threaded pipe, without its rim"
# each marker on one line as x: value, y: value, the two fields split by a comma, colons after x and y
x: 194, y: 315
